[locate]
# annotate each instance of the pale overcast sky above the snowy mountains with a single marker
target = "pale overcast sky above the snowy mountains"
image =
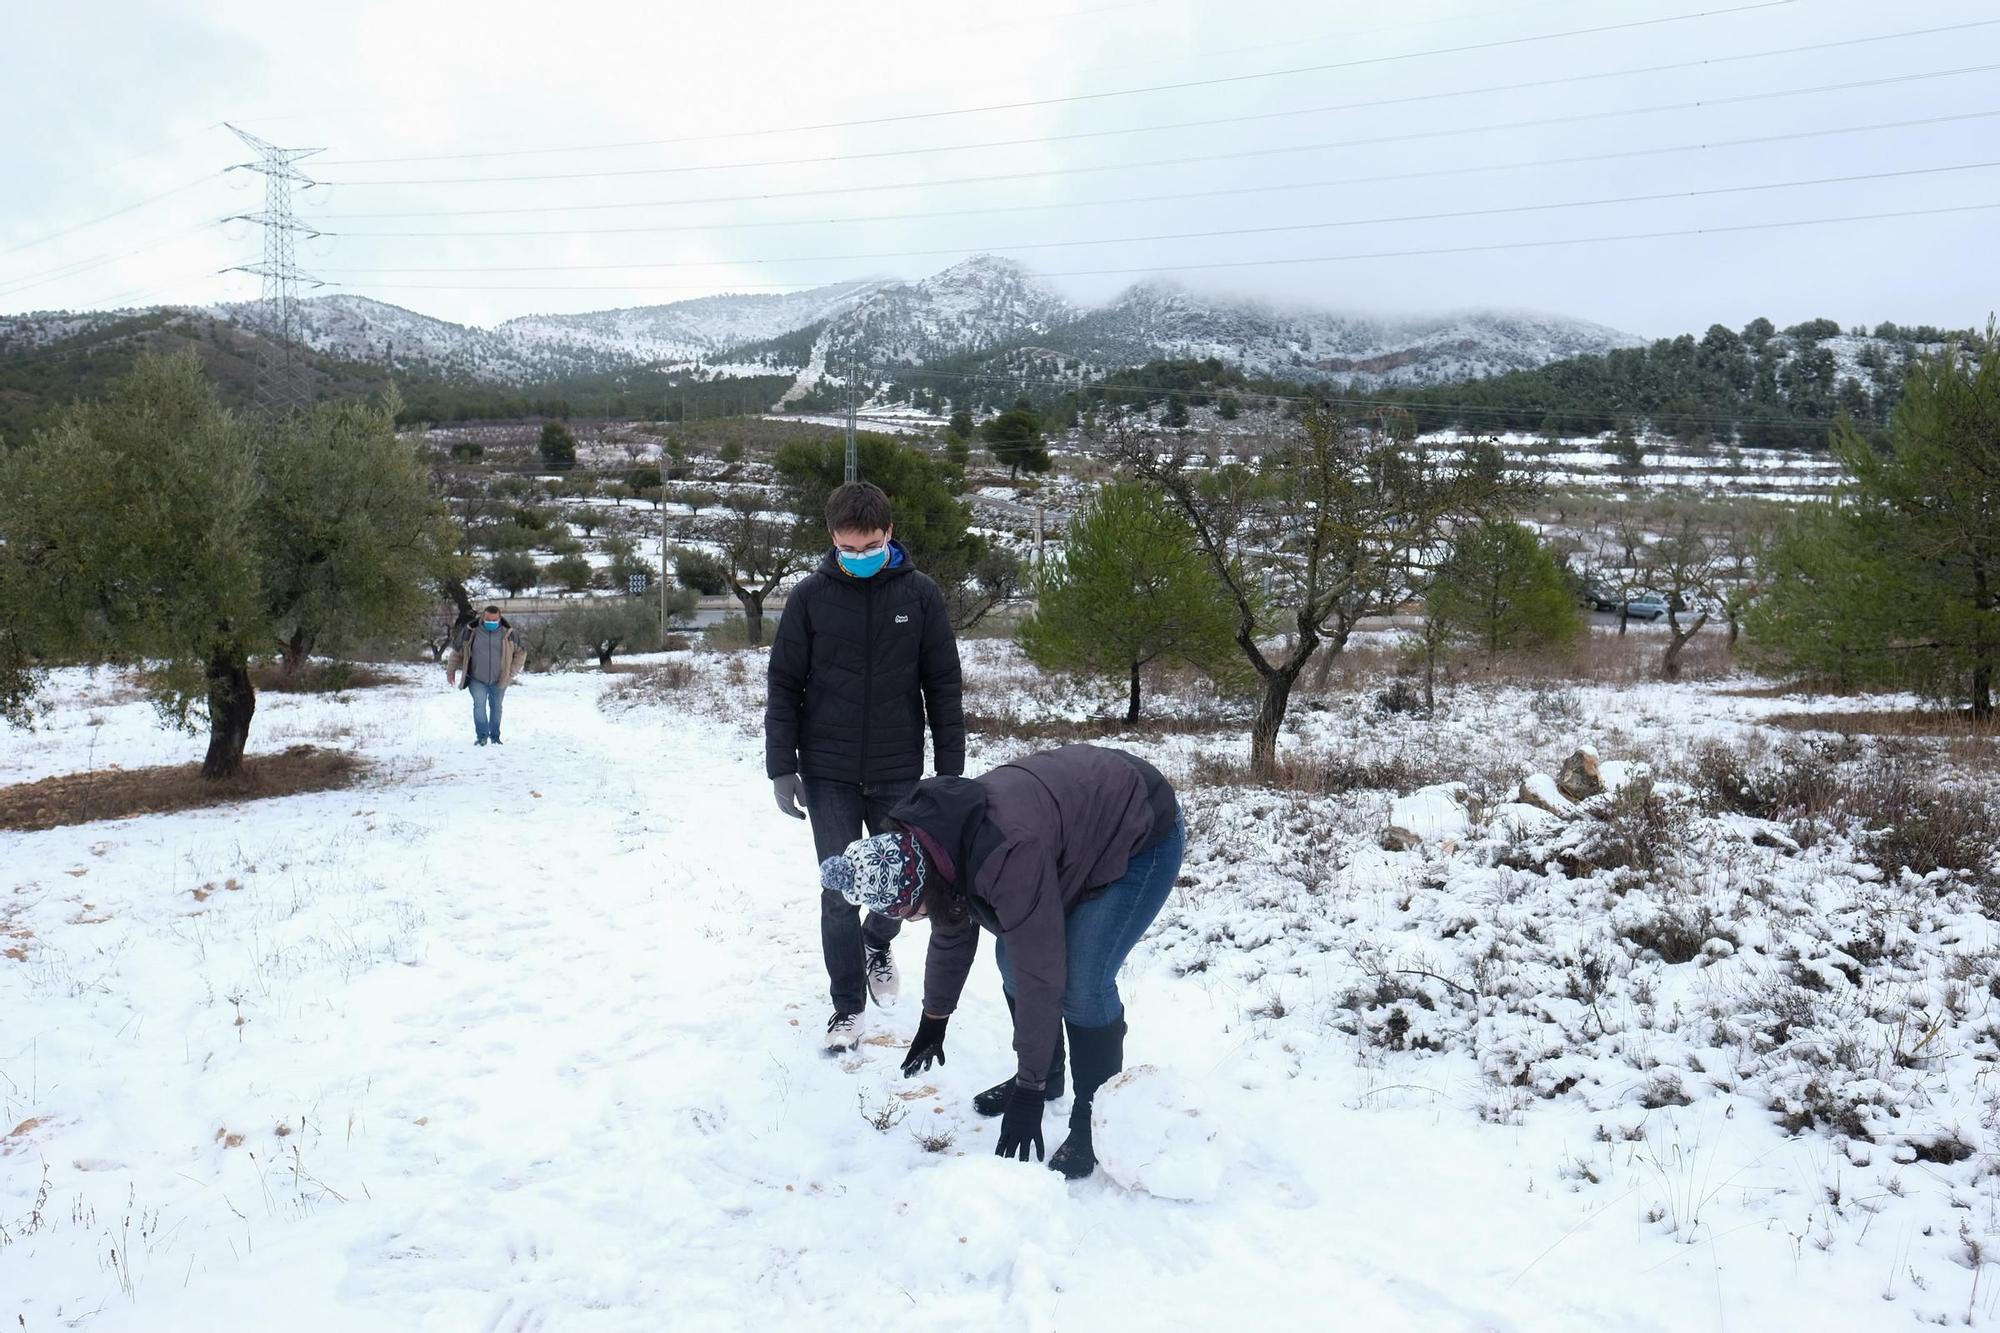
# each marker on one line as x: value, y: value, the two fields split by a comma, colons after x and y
x: 115, y: 103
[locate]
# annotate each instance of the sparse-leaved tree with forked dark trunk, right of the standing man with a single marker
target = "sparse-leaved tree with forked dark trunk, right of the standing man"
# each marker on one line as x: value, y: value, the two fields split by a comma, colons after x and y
x: 1337, y: 523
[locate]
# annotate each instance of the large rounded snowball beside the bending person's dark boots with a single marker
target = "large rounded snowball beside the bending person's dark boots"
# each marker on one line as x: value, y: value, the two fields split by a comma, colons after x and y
x: 1153, y: 1136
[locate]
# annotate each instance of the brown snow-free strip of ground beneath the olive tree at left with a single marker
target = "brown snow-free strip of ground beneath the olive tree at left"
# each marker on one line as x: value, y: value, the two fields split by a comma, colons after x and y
x: 123, y: 794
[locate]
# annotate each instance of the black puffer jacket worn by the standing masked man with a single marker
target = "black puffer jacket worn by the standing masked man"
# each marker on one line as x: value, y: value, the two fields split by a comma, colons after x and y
x: 857, y: 668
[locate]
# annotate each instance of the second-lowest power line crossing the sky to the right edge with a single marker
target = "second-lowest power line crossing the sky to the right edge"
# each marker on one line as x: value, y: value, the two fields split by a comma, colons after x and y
x: 1205, y: 235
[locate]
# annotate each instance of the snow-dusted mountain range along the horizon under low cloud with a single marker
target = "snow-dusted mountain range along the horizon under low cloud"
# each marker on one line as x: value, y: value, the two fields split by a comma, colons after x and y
x: 983, y: 307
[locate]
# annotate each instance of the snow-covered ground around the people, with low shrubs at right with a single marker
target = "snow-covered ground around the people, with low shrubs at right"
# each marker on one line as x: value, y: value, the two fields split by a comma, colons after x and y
x: 529, y: 1040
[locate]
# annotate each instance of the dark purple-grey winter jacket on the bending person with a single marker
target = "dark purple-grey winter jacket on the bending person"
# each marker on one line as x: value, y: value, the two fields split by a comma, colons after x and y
x: 1027, y: 844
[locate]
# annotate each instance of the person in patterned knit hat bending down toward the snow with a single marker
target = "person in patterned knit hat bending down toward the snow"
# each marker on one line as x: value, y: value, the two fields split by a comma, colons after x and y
x: 1067, y: 858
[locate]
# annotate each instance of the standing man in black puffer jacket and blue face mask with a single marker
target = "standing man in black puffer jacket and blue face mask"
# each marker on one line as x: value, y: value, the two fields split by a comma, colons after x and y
x: 865, y: 653
